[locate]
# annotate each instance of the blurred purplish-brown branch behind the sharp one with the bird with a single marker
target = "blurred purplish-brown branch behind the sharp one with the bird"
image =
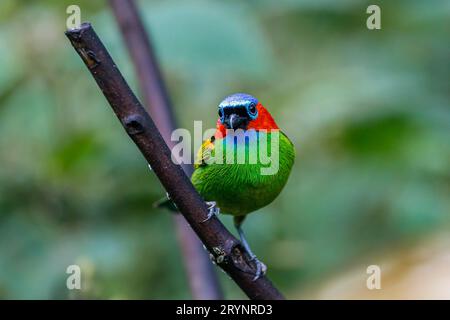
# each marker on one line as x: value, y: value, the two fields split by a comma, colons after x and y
x: 201, y: 275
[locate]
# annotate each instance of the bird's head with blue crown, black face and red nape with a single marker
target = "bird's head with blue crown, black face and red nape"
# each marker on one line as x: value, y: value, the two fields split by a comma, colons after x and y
x: 243, y: 111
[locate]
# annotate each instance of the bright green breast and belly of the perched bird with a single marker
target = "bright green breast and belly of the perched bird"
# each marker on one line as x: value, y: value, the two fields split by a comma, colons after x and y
x: 245, y: 183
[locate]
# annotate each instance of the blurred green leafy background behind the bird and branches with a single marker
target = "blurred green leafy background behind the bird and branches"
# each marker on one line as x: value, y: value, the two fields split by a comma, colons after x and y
x: 368, y: 112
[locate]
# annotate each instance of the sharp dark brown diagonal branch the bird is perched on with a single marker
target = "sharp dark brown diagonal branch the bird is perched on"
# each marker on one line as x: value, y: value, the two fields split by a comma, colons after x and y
x: 224, y: 247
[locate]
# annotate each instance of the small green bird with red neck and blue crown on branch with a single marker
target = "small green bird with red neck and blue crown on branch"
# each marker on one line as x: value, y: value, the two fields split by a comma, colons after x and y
x: 239, y: 188
